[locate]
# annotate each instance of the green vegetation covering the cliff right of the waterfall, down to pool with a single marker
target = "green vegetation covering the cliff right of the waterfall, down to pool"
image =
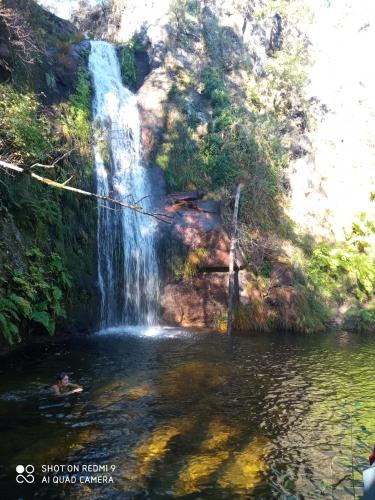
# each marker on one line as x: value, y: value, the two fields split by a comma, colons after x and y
x: 219, y: 133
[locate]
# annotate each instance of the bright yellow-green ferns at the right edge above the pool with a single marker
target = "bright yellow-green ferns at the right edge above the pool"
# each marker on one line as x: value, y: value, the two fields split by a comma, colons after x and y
x: 342, y: 273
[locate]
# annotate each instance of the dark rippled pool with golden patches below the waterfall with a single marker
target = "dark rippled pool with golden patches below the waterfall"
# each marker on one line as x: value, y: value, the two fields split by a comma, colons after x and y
x: 184, y: 415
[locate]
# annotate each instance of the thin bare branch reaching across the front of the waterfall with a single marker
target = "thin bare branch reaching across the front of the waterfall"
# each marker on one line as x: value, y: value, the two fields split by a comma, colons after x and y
x: 59, y: 185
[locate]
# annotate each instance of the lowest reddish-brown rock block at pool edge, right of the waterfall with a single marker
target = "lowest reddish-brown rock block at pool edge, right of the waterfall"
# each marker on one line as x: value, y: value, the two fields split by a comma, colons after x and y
x: 197, y: 303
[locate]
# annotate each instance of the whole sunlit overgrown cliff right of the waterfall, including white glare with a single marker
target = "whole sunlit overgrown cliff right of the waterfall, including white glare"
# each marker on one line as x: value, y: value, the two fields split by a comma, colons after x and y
x: 228, y: 93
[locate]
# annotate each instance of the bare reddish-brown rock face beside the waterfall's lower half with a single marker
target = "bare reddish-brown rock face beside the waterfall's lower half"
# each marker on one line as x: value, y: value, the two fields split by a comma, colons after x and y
x: 198, y: 300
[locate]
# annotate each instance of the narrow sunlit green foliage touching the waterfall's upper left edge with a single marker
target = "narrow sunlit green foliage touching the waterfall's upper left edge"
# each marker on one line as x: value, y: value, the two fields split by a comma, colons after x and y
x: 75, y: 120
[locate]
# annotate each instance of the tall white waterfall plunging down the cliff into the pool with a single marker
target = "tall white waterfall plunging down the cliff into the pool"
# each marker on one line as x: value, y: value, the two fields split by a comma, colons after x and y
x: 127, y: 260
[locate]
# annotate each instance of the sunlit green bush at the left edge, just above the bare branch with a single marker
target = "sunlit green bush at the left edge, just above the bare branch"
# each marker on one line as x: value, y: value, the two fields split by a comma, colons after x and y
x: 22, y: 126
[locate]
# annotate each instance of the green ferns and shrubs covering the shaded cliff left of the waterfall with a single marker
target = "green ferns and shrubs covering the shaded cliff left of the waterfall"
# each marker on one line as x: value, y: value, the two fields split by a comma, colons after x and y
x: 44, y: 246
